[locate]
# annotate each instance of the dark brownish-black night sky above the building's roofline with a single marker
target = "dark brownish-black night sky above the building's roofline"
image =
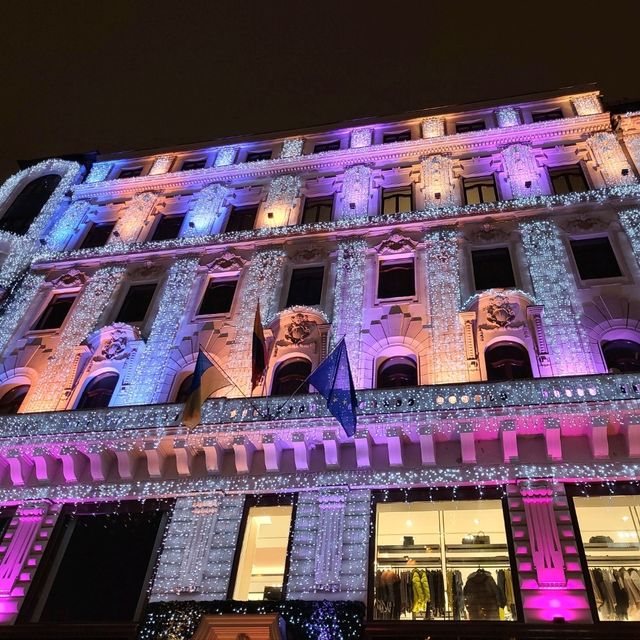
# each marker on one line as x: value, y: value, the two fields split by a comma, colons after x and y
x: 110, y: 76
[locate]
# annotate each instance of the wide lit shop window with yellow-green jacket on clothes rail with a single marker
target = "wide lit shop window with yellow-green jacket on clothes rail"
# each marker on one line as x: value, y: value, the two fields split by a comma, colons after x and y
x: 442, y: 561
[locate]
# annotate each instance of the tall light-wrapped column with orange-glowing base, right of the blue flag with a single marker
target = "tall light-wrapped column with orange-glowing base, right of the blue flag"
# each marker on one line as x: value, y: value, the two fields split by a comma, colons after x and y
x: 442, y: 268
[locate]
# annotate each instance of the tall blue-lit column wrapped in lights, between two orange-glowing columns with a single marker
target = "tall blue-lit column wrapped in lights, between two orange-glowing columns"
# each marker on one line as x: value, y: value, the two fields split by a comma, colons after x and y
x: 147, y: 380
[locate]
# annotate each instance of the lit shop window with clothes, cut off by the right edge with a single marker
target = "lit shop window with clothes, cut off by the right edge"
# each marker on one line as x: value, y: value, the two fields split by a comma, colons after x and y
x: 610, y: 528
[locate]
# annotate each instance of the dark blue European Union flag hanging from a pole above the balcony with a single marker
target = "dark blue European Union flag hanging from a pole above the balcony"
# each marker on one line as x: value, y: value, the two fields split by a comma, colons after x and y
x: 333, y: 380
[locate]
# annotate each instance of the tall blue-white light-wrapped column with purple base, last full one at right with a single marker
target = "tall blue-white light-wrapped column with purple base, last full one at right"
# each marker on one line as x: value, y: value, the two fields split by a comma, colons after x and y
x: 555, y: 289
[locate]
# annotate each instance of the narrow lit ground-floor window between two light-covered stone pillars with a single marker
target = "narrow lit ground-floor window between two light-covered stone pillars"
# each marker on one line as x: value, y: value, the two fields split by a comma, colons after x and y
x: 263, y: 557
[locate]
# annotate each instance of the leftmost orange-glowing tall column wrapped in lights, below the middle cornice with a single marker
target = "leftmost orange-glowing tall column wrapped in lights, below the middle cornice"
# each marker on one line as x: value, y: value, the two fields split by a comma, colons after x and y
x: 93, y: 300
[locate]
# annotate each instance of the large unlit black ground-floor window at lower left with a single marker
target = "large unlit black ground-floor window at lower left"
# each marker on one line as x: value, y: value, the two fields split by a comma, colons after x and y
x: 102, y: 573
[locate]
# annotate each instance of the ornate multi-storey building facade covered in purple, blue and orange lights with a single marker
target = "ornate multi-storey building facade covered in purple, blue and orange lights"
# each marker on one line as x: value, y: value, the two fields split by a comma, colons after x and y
x: 483, y: 265
